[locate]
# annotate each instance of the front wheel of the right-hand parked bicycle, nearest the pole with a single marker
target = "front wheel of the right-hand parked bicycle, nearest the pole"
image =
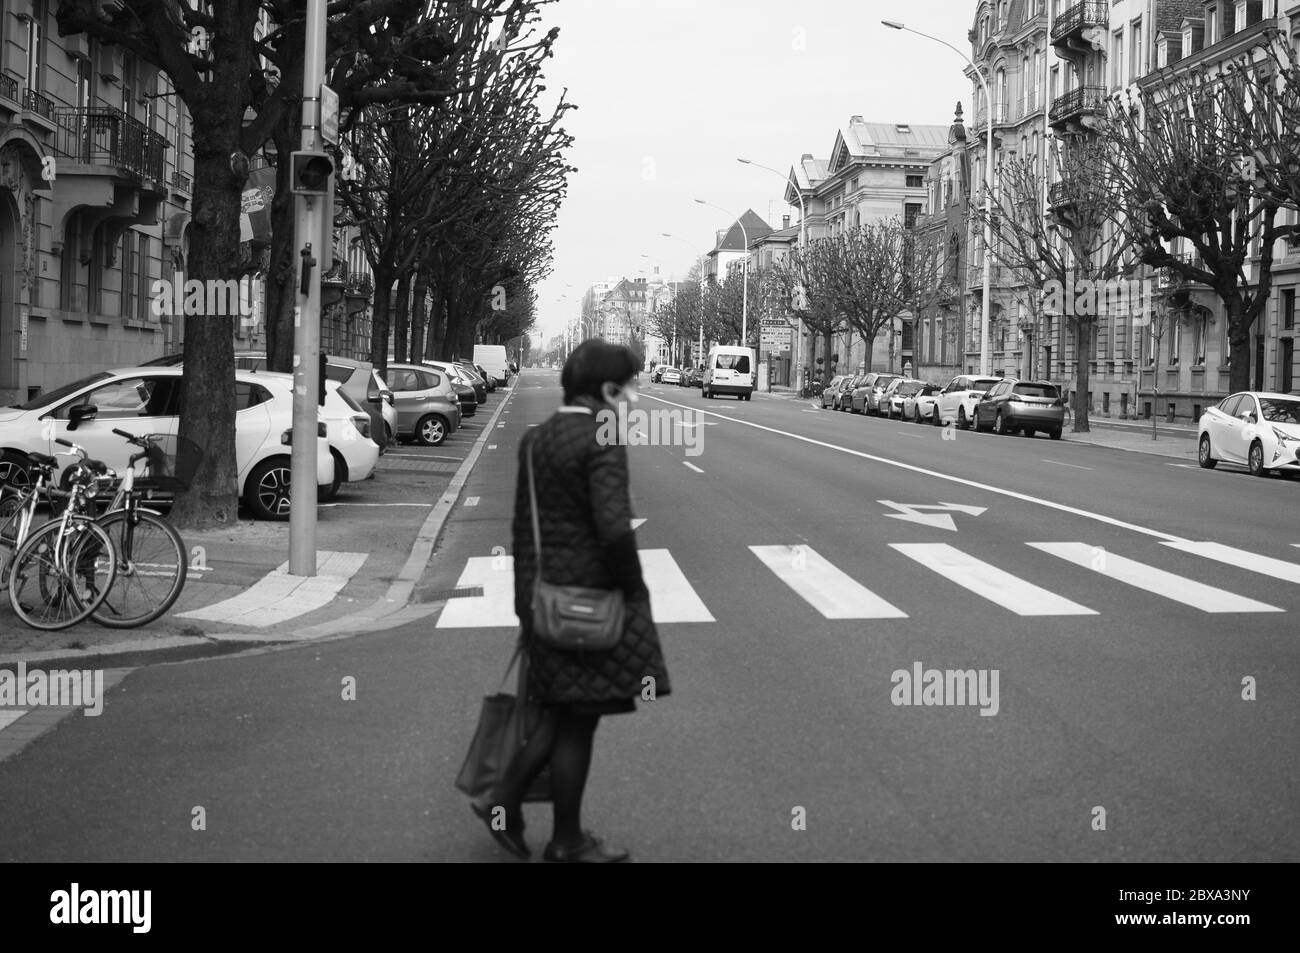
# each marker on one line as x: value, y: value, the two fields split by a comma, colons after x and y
x: 151, y: 569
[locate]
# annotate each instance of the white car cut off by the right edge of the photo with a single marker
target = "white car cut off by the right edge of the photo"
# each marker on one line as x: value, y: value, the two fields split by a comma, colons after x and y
x: 1258, y: 430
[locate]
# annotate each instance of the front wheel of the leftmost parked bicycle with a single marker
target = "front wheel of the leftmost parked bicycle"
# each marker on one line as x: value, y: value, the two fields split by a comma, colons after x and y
x: 55, y: 583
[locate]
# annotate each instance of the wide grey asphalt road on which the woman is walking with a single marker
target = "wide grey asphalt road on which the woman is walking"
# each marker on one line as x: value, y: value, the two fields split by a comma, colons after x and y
x: 1120, y: 677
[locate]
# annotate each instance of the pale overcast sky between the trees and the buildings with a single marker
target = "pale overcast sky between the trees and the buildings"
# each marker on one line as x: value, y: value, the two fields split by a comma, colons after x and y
x: 671, y: 92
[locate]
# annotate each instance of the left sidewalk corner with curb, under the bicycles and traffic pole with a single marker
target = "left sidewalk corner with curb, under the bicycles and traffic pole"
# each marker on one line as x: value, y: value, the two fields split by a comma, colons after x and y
x: 374, y: 542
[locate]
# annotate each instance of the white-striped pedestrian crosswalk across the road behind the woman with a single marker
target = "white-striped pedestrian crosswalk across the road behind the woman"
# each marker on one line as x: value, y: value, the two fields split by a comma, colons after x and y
x: 829, y: 591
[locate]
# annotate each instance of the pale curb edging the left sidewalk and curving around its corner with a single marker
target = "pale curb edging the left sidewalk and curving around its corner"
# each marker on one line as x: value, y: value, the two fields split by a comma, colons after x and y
x: 392, y: 609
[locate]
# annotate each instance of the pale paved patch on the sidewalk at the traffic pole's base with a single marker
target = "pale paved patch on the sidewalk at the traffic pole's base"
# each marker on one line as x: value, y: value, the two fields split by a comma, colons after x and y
x: 279, y: 597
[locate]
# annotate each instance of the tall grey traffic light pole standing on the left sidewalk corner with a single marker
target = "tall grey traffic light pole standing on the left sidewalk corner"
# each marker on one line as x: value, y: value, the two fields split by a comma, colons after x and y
x: 309, y: 233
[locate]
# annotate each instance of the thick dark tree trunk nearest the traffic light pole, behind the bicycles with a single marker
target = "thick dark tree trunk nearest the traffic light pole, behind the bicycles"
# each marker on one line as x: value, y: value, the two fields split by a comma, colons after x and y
x: 209, y: 409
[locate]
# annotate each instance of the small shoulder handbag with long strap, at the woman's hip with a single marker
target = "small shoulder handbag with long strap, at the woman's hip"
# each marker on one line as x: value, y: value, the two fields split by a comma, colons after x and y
x: 567, y: 617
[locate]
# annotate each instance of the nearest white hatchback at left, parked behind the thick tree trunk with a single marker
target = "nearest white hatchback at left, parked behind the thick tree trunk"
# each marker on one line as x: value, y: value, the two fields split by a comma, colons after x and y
x: 146, y: 401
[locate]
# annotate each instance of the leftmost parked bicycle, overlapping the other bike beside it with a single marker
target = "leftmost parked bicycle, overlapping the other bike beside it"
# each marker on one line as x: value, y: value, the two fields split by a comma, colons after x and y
x: 63, y: 571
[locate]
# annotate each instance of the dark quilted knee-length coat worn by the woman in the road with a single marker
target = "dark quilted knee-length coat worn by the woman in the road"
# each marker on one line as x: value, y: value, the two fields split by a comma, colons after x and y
x: 587, y: 536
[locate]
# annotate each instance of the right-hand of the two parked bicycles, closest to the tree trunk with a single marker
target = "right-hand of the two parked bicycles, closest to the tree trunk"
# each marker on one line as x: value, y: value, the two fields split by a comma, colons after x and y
x: 153, y: 564
